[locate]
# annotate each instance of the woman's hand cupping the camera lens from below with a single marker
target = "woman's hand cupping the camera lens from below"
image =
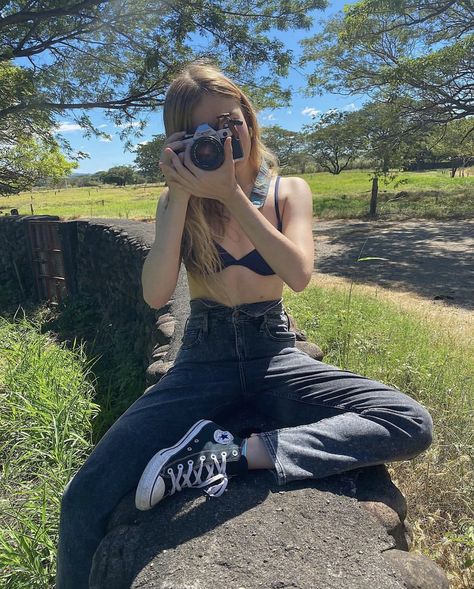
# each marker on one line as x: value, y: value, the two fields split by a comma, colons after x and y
x: 218, y: 184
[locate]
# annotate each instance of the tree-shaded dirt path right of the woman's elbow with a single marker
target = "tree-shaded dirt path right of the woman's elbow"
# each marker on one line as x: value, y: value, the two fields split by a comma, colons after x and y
x: 431, y: 259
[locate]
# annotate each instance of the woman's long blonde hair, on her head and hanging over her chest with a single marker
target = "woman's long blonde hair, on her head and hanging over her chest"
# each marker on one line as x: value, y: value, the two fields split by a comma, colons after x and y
x: 205, y: 217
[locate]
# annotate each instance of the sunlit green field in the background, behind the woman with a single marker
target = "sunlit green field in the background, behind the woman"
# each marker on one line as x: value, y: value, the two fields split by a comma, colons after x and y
x: 431, y: 194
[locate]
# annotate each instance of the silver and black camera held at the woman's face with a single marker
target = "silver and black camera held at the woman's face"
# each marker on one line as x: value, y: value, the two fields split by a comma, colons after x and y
x: 207, y: 144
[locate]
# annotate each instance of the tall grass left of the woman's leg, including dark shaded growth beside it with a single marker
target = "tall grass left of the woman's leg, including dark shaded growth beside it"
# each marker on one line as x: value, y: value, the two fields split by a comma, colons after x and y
x: 58, y: 397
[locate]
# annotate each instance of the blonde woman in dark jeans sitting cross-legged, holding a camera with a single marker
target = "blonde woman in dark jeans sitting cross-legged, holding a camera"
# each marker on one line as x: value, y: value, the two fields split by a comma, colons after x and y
x: 237, y: 347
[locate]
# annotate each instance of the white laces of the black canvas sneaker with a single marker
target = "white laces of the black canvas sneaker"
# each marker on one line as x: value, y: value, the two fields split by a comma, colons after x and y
x: 182, y: 479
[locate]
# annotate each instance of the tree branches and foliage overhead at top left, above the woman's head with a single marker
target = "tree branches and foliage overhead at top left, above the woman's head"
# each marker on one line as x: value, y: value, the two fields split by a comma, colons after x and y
x: 121, y: 56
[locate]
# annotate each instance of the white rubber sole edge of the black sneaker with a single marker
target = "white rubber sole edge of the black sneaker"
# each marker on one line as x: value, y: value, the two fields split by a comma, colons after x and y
x: 150, y: 476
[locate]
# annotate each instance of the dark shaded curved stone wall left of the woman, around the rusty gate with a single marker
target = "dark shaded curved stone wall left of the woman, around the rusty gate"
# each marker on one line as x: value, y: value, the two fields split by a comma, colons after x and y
x: 103, y: 260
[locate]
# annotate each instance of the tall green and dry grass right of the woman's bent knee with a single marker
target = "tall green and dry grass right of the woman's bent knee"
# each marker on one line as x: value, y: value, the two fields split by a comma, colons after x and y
x: 370, y: 336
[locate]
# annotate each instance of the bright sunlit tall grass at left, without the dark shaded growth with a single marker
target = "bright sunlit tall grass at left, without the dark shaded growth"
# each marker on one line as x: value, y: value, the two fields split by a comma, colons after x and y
x: 45, y: 435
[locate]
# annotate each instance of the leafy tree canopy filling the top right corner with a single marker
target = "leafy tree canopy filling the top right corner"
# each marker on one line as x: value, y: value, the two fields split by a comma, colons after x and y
x: 409, y: 48
